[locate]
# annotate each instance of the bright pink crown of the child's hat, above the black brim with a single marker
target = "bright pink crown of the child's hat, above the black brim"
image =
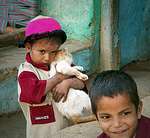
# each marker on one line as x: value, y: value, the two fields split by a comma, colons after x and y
x: 40, y: 25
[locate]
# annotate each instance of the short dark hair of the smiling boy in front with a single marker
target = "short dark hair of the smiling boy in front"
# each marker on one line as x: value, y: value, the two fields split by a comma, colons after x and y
x: 112, y: 83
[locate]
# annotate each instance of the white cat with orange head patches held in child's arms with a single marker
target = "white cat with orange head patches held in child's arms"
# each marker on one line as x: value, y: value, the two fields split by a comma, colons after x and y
x: 78, y: 102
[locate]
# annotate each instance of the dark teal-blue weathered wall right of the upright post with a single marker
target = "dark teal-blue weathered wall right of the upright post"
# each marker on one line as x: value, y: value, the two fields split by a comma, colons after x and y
x: 134, y: 30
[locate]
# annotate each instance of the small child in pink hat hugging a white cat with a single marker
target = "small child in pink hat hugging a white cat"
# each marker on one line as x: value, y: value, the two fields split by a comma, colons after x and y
x: 43, y: 37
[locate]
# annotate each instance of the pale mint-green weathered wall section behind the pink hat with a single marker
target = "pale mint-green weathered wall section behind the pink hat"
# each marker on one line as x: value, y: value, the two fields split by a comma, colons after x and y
x: 76, y: 16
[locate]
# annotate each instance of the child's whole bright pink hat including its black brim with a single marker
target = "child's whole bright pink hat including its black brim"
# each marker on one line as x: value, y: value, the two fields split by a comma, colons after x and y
x: 43, y: 26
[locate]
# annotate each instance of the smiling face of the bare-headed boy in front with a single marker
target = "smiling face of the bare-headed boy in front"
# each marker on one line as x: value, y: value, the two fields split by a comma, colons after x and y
x: 117, y: 116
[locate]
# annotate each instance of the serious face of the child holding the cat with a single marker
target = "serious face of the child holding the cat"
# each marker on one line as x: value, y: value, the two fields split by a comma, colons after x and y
x: 43, y: 51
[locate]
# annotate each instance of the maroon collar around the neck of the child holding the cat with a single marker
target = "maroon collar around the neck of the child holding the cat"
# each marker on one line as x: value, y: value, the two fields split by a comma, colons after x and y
x: 40, y: 65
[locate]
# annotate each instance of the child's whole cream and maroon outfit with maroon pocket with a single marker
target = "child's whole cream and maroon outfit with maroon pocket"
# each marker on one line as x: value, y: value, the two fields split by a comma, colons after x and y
x: 42, y: 117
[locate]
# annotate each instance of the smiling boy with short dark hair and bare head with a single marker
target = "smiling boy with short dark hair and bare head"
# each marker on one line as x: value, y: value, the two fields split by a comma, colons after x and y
x: 117, y: 106
